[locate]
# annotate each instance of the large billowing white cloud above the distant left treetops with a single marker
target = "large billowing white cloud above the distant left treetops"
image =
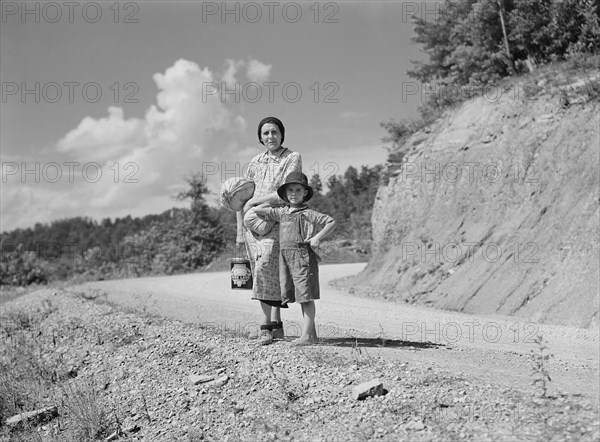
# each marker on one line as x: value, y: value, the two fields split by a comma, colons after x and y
x: 142, y: 159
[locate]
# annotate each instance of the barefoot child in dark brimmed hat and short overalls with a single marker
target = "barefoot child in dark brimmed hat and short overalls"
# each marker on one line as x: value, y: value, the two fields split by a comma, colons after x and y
x: 300, y: 231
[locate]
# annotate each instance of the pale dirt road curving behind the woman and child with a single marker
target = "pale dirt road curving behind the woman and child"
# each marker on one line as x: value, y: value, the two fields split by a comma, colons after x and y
x: 493, y: 349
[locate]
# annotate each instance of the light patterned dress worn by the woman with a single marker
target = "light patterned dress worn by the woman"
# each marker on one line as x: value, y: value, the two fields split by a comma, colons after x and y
x: 268, y: 173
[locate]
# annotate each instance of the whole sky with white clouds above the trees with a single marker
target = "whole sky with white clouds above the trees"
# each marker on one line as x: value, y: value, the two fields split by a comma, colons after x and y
x: 107, y: 107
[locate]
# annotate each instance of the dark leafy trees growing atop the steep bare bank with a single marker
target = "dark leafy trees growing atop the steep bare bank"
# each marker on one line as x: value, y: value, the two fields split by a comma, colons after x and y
x: 472, y: 45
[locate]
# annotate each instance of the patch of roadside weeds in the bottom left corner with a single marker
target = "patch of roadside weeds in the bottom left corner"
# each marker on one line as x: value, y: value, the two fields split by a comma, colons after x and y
x: 37, y: 371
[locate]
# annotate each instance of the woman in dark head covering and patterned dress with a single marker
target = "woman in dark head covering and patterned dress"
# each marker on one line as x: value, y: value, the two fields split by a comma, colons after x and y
x: 268, y: 171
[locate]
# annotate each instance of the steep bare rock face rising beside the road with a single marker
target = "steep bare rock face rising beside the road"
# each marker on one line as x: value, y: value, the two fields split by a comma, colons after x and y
x: 495, y: 209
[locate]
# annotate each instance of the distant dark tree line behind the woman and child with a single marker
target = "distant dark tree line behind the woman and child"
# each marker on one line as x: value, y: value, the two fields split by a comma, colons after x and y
x: 179, y: 240
